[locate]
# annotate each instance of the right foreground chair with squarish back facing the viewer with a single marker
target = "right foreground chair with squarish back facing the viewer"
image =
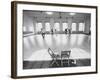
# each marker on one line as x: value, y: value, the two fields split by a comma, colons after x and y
x: 65, y: 55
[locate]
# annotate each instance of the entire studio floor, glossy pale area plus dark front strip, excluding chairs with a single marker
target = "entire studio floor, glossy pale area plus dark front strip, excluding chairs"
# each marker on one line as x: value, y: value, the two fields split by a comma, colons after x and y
x: 35, y: 56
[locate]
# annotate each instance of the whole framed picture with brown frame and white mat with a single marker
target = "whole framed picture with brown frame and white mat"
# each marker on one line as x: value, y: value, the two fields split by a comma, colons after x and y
x: 53, y: 39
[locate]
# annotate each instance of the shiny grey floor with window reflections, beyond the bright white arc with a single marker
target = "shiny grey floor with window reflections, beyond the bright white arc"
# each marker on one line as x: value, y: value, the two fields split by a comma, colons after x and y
x: 57, y: 42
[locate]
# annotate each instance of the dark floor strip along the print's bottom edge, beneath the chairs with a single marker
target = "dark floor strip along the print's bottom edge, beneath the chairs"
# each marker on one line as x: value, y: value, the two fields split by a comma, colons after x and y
x: 47, y: 64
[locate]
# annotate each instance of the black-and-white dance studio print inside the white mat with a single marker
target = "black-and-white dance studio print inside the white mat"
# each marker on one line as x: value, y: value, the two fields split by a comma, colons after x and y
x: 54, y: 39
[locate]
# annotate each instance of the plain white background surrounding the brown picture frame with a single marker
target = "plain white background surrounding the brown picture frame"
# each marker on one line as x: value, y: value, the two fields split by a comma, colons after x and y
x: 5, y: 40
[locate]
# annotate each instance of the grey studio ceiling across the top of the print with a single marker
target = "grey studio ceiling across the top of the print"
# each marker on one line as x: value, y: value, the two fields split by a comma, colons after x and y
x: 42, y: 14
